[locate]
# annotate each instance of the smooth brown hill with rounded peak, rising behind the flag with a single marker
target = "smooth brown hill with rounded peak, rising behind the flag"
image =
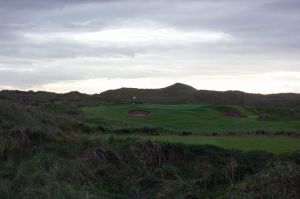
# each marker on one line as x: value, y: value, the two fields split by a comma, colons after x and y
x: 182, y: 94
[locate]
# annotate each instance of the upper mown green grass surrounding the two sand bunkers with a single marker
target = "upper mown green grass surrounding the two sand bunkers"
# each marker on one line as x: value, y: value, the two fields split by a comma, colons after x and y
x: 195, y: 118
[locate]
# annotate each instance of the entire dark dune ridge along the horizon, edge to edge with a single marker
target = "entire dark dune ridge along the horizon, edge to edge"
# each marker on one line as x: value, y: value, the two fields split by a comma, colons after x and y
x: 175, y: 94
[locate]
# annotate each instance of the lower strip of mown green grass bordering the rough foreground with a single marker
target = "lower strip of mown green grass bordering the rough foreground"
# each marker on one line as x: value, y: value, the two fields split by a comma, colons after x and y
x: 276, y: 145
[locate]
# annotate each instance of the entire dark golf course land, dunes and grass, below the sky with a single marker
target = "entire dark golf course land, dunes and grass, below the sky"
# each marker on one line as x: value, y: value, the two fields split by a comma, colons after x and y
x: 174, y: 142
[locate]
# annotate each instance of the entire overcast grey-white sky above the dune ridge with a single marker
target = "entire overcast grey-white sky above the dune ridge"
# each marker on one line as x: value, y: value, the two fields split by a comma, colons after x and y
x: 95, y: 45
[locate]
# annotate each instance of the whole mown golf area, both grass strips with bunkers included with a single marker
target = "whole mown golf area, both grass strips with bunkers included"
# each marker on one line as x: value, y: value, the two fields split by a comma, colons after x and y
x: 187, y: 123
